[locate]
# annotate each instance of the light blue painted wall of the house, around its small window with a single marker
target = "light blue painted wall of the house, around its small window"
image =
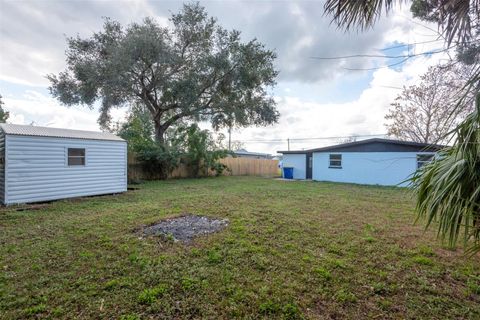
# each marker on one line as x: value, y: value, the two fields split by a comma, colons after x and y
x: 382, y: 168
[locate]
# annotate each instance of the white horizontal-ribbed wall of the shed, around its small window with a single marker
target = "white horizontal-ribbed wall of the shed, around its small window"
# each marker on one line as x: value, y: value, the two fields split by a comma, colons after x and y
x: 37, y: 168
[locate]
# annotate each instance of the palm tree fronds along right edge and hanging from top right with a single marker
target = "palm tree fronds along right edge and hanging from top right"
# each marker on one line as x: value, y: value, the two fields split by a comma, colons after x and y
x: 447, y: 189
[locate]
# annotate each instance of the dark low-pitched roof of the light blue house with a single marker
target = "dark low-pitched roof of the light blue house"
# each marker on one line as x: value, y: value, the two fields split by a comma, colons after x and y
x: 374, y: 145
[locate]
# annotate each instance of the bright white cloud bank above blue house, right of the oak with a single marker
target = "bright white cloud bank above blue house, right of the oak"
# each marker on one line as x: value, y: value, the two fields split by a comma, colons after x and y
x: 362, y: 116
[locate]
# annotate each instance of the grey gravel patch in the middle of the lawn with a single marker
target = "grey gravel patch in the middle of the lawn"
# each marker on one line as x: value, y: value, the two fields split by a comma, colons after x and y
x: 186, y: 228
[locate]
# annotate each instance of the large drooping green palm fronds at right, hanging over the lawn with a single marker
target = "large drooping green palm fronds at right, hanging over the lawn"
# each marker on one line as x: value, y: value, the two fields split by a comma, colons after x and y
x: 448, y: 189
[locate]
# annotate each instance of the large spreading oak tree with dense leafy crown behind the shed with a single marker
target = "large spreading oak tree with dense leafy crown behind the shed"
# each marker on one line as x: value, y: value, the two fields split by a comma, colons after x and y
x: 193, y: 70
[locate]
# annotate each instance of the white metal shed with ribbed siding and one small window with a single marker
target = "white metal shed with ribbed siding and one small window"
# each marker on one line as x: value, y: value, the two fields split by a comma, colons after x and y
x: 42, y: 164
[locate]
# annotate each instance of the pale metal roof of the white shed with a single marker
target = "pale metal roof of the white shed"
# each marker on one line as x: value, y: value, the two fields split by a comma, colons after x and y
x: 24, y: 130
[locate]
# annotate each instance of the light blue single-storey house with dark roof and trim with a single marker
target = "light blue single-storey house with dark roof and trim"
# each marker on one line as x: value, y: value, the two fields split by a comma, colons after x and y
x: 373, y: 161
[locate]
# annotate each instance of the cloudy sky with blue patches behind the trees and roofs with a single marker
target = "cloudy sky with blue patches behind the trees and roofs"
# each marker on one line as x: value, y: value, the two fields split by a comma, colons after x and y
x: 319, y: 100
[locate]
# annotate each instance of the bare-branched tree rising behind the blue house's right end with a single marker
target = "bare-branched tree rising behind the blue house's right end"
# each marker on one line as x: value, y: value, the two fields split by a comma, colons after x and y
x: 428, y: 112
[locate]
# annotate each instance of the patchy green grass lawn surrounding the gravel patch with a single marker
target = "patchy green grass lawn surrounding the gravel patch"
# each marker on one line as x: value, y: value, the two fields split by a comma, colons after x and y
x: 292, y: 250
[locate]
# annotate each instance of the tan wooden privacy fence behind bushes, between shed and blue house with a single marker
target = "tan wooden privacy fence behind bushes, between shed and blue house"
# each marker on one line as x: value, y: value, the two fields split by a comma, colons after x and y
x: 237, y: 167
